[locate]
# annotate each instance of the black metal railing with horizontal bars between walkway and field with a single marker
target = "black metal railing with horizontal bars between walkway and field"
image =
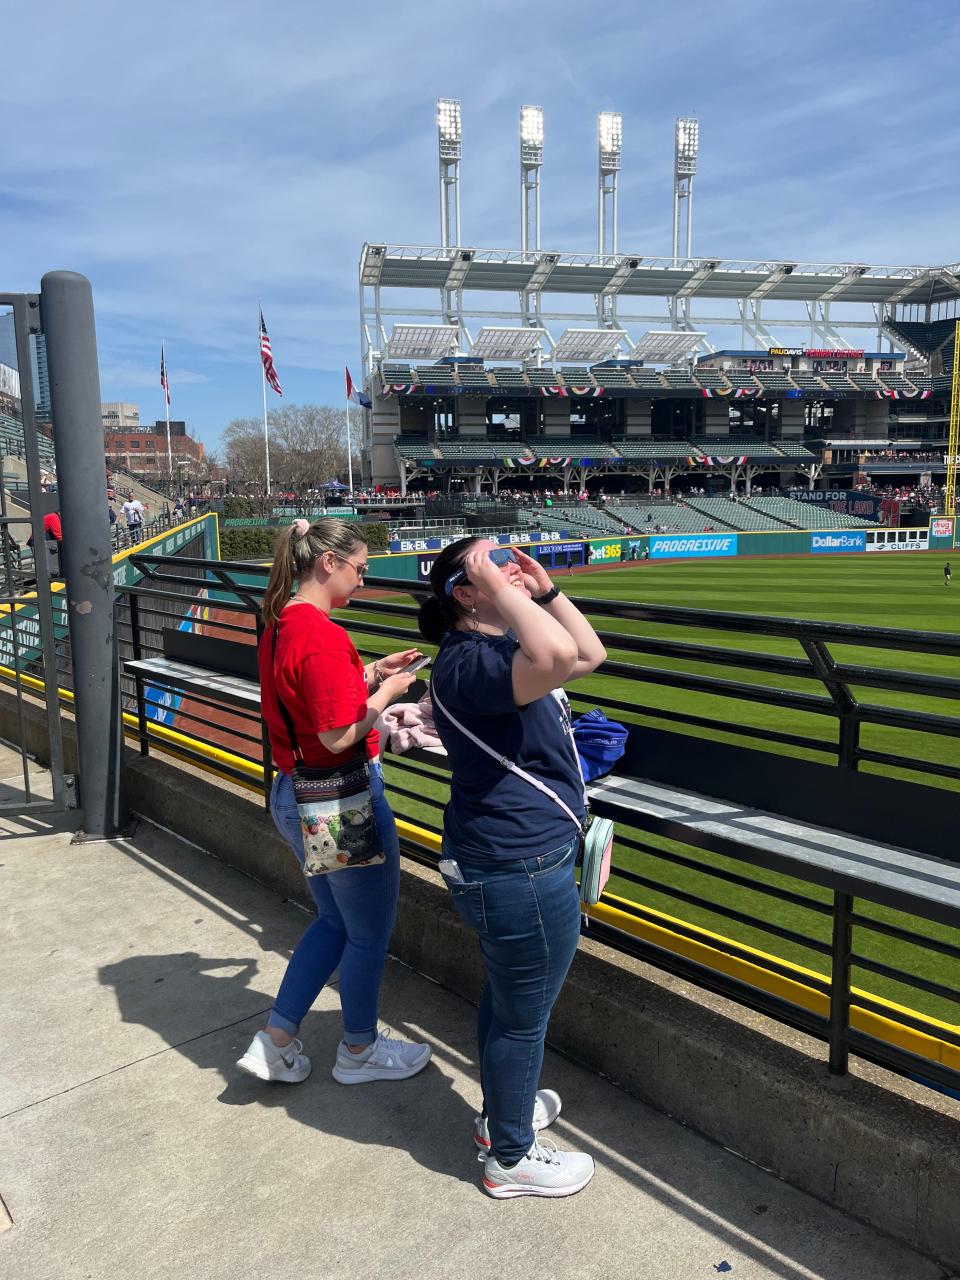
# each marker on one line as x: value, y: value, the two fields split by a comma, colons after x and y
x: 863, y: 977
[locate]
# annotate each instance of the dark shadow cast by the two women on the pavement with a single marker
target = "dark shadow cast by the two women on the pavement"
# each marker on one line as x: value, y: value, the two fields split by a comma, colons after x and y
x: 191, y: 1002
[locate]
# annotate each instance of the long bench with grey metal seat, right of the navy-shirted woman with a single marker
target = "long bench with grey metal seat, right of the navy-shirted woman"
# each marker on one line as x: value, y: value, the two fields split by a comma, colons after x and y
x: 870, y: 842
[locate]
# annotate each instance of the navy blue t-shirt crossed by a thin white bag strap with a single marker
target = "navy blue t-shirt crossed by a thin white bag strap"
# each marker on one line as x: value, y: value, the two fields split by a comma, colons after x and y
x: 492, y: 813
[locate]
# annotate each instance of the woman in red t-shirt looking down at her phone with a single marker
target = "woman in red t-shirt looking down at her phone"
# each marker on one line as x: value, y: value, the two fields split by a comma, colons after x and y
x: 333, y: 701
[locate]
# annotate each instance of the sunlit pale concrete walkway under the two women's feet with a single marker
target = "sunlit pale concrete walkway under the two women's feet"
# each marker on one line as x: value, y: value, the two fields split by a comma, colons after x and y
x: 134, y: 976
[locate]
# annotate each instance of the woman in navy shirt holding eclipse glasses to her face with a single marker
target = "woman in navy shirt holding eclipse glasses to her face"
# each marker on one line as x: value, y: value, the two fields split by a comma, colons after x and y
x: 509, y: 642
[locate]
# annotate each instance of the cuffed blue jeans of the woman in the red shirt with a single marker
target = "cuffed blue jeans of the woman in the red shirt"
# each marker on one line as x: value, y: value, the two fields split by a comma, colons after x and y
x: 355, y: 915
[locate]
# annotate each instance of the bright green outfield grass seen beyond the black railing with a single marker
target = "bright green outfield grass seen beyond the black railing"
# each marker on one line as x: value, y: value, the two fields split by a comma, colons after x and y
x: 900, y: 591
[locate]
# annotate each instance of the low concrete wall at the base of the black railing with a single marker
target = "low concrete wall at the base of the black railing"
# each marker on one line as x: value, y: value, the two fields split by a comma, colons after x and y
x: 877, y: 1148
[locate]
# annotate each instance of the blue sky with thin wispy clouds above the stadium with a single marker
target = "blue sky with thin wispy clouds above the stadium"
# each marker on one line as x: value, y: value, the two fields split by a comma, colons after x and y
x: 194, y: 158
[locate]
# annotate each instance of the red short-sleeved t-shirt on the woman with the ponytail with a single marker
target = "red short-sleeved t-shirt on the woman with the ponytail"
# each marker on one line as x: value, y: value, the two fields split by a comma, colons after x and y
x: 321, y: 680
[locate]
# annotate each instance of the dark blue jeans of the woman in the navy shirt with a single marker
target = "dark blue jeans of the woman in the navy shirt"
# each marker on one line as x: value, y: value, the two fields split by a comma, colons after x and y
x: 527, y: 916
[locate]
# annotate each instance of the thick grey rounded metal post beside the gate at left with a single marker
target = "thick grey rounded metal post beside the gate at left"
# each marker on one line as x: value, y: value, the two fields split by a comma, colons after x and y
x: 67, y: 318
